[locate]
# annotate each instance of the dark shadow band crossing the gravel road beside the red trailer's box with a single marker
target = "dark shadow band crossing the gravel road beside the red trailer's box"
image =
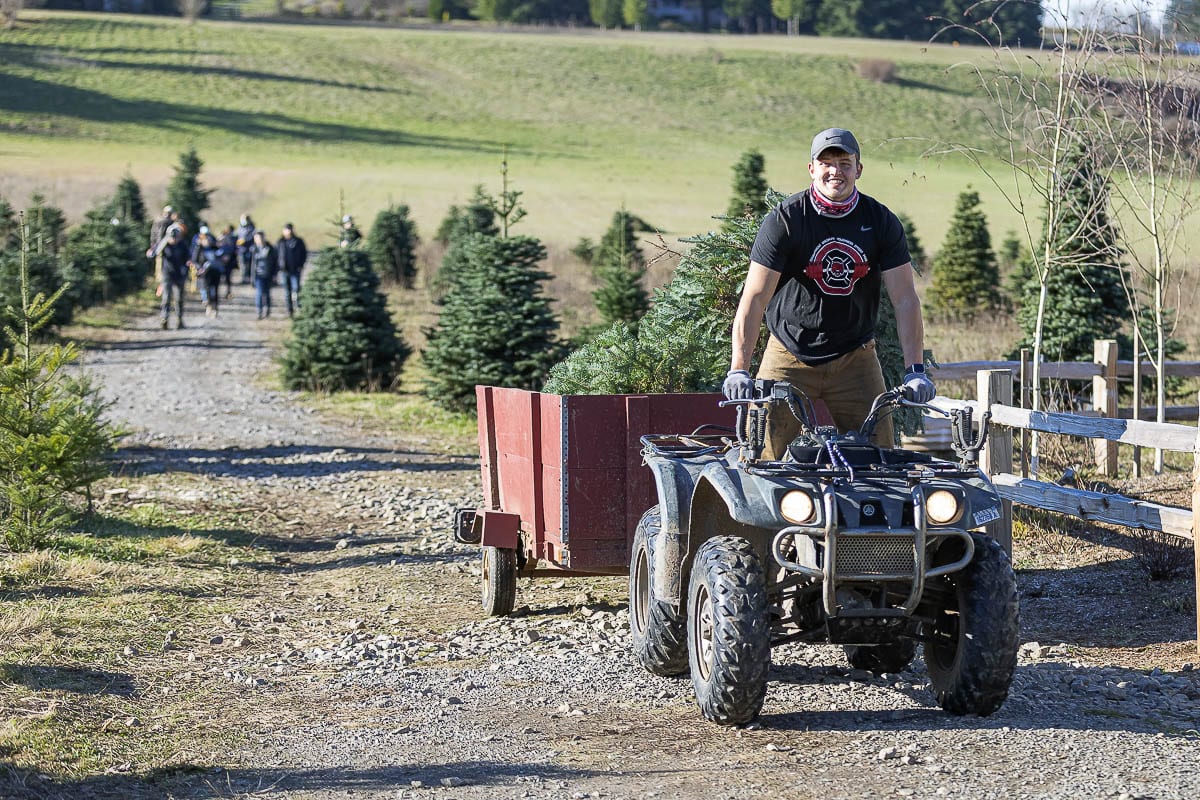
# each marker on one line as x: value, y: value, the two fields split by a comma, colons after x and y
x: 285, y: 461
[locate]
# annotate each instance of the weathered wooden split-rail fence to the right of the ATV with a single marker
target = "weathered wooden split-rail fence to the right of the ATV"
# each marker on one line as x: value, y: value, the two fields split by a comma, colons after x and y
x: 995, y: 395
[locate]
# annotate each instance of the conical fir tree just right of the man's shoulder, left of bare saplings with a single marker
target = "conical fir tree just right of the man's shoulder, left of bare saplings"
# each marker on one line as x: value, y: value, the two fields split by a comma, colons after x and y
x: 967, y: 281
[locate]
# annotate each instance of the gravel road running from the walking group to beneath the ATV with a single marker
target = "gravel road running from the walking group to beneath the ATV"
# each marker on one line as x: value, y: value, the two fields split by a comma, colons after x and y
x: 375, y: 675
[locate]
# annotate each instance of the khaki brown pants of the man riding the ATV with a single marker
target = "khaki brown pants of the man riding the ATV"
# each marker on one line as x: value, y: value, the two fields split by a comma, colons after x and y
x: 848, y: 387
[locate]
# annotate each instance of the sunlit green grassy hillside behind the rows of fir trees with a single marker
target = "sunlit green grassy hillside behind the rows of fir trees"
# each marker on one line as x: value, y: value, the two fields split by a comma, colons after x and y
x: 291, y: 118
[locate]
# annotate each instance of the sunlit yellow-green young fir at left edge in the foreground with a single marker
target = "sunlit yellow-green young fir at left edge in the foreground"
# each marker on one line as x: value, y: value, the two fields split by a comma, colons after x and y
x: 55, y: 441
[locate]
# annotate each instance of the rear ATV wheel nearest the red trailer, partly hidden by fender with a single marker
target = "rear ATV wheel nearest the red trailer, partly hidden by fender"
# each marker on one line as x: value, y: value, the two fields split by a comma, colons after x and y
x: 658, y: 630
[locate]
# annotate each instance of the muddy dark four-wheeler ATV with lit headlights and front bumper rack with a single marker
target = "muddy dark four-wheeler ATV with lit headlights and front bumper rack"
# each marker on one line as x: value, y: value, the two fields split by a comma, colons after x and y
x: 841, y: 542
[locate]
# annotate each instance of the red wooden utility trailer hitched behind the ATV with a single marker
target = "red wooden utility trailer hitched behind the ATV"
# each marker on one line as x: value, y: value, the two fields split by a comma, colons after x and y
x: 565, y: 483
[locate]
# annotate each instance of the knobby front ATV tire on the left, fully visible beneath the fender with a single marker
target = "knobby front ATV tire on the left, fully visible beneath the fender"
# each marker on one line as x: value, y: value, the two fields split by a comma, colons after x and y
x: 729, y: 643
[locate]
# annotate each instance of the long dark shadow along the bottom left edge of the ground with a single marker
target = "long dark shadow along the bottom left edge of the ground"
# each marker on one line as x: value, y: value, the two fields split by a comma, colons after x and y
x: 194, y: 783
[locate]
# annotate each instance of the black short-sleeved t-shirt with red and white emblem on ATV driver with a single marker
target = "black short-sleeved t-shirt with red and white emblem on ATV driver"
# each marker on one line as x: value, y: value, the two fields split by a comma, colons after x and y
x: 827, y: 303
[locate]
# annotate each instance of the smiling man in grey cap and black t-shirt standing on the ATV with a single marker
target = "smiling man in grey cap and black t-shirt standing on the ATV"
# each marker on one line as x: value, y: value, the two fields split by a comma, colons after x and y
x: 817, y: 269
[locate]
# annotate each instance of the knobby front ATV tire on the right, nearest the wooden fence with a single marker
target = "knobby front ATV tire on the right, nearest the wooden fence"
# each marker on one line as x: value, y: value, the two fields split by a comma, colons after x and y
x: 971, y: 651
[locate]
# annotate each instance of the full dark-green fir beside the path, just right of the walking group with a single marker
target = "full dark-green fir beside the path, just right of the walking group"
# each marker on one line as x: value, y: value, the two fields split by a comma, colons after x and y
x: 344, y: 338
